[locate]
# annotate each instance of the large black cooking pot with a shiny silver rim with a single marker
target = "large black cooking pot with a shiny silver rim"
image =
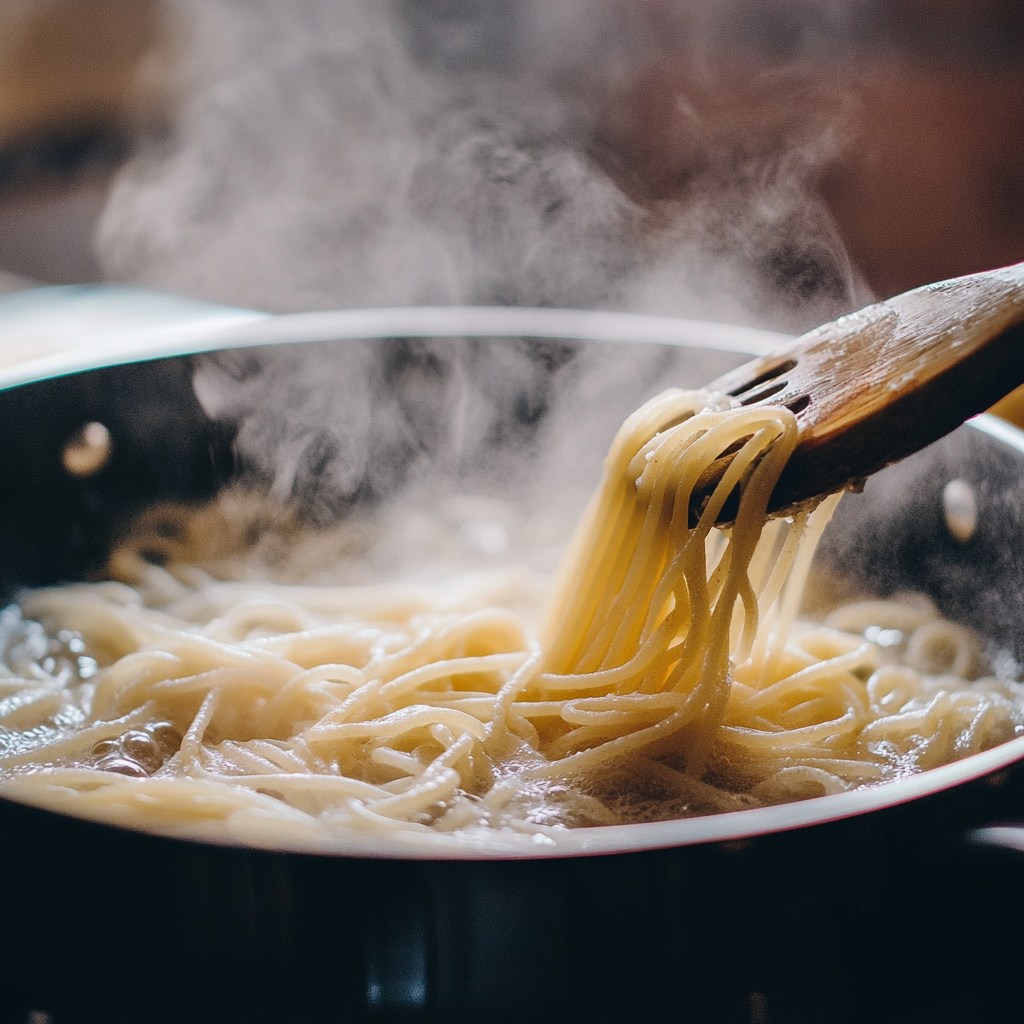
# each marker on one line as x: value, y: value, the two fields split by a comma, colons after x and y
x: 873, y: 905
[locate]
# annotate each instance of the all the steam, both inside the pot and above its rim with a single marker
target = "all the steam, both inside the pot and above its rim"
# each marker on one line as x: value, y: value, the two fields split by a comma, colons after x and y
x: 368, y: 153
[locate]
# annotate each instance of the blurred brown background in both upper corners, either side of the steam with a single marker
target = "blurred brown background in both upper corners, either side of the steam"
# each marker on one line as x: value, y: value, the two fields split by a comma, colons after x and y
x: 927, y: 181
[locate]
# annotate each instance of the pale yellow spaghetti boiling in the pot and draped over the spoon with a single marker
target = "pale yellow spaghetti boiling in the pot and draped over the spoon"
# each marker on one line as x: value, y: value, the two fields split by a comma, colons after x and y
x: 671, y: 676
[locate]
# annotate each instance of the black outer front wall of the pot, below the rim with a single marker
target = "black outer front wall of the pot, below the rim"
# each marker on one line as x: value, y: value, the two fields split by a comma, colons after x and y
x: 887, y: 917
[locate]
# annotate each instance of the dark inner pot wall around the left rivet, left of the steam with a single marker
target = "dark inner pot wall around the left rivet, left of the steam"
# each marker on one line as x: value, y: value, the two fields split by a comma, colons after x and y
x: 56, y: 526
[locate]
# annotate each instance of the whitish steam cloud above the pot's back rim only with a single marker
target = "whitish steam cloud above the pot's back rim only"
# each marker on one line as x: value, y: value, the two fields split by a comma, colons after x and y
x: 363, y: 153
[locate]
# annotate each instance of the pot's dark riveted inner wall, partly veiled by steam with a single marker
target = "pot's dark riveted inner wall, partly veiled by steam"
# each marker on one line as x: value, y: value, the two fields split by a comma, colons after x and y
x: 439, y: 453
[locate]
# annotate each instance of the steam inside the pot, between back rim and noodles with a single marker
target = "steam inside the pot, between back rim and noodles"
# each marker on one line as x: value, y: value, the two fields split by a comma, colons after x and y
x: 493, y: 445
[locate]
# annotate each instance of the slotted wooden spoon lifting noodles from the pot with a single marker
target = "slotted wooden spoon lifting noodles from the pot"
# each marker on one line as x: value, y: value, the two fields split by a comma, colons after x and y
x: 877, y: 386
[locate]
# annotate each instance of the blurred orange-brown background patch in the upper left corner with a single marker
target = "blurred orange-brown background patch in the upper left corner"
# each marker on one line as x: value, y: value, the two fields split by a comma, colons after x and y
x: 78, y: 79
